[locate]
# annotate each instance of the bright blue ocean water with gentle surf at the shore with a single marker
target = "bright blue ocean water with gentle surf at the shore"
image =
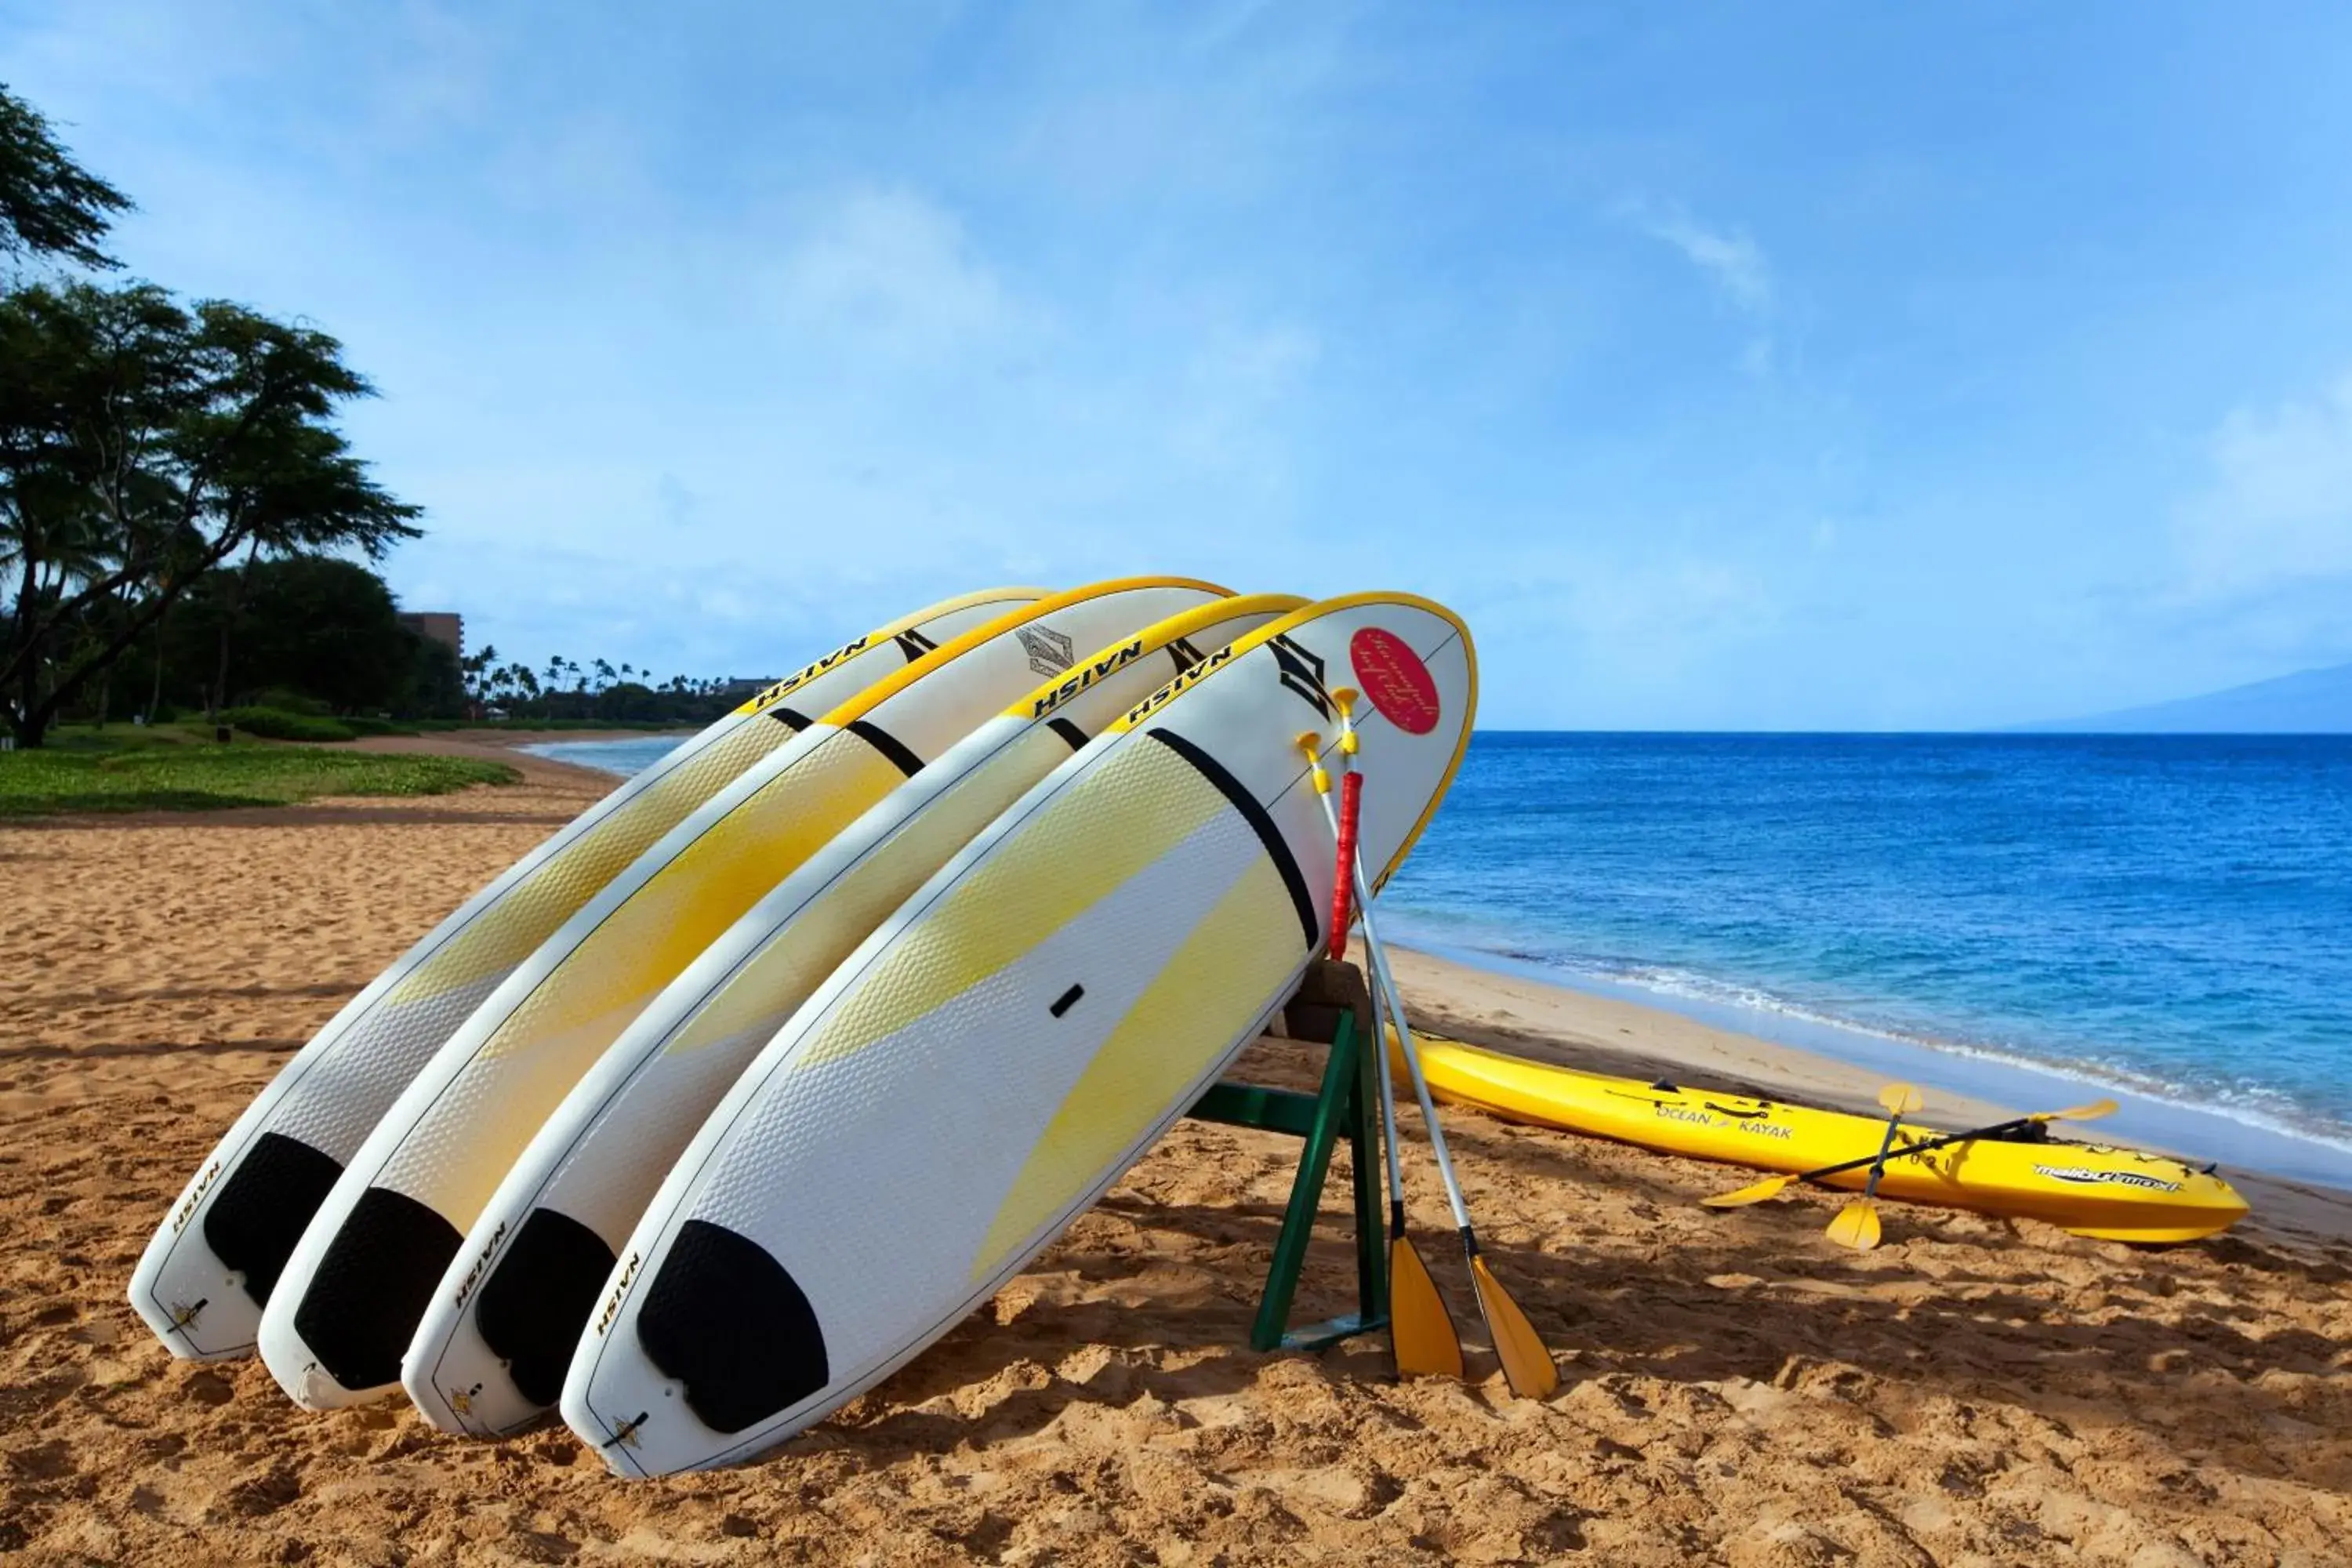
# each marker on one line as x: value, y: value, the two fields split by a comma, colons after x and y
x: 2163, y: 916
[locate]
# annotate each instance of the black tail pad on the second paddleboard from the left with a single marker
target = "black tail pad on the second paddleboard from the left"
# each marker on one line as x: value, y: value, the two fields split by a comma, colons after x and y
x: 370, y: 1289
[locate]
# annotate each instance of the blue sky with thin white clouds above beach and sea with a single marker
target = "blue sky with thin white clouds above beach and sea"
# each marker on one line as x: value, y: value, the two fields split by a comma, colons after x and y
x: 1803, y: 366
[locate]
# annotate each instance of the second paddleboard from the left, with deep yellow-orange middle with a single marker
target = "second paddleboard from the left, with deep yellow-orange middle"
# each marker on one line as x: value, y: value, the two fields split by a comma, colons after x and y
x: 366, y: 1271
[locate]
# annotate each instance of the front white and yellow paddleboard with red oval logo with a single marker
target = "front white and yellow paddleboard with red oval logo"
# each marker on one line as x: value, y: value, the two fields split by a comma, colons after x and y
x: 1010, y: 1040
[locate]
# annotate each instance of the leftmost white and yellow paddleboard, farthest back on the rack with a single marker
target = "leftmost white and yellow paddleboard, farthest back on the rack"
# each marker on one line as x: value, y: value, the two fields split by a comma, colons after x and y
x: 220, y: 1252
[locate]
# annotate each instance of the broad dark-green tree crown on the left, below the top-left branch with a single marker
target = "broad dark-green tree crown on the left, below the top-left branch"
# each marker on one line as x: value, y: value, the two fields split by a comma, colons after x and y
x: 142, y: 445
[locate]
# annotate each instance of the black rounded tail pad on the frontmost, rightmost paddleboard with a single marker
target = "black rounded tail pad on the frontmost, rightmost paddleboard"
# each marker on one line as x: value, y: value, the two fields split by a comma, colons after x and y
x: 733, y: 1329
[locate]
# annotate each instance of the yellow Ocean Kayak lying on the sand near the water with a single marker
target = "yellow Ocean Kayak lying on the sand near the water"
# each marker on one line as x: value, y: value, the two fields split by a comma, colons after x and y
x: 2092, y: 1191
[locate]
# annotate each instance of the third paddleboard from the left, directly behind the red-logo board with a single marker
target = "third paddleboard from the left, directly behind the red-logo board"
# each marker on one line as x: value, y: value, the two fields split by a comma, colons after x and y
x: 507, y: 1318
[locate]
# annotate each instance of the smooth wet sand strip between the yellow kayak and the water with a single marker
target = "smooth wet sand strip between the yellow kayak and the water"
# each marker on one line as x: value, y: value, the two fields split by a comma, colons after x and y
x: 1596, y: 1033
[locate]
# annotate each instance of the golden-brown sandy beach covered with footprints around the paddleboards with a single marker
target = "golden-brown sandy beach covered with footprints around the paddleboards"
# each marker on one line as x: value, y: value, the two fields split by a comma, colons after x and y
x: 1735, y: 1388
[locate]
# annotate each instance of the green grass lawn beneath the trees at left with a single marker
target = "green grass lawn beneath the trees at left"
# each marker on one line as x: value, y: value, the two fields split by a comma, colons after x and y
x: 163, y: 770
